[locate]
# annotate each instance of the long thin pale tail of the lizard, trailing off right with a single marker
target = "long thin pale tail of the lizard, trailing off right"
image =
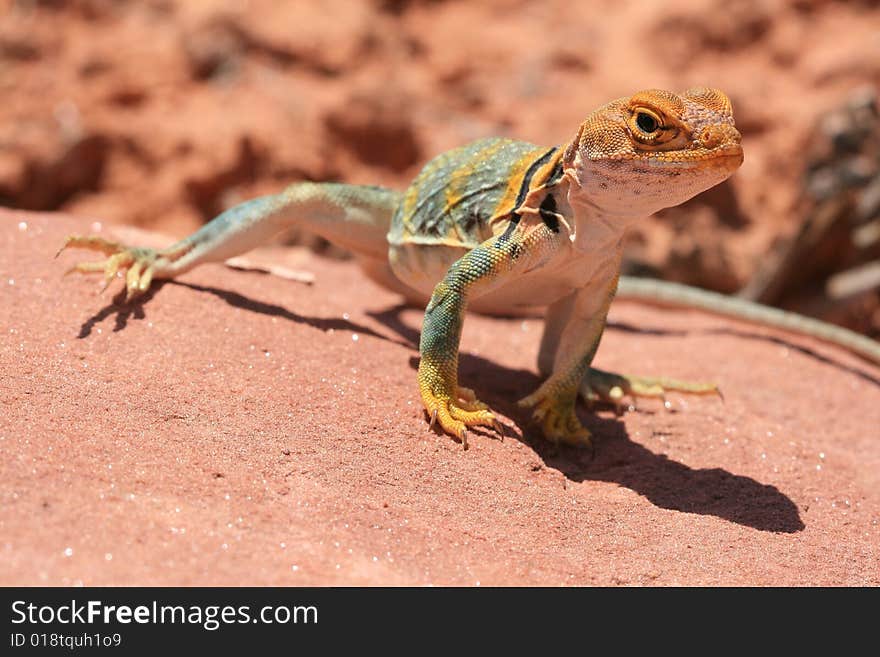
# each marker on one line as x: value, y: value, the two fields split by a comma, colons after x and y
x: 664, y: 293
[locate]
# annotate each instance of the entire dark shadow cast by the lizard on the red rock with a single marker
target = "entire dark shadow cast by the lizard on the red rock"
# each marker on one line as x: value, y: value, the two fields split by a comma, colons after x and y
x: 664, y: 482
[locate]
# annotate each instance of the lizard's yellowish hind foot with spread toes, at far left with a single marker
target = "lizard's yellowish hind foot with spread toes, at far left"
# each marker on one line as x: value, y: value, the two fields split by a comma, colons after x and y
x: 140, y: 262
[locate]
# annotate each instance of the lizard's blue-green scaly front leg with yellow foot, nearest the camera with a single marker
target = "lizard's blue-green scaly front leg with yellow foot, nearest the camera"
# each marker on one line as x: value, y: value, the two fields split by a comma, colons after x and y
x: 480, y: 270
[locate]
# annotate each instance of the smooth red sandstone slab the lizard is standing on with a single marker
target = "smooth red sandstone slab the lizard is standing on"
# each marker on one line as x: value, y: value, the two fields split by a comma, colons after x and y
x: 237, y: 428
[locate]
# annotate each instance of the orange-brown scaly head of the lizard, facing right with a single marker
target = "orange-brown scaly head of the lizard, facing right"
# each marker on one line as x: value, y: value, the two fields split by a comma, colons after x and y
x: 653, y: 150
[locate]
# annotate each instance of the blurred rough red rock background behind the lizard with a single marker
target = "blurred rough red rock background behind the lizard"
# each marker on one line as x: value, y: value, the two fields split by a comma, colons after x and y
x: 162, y: 113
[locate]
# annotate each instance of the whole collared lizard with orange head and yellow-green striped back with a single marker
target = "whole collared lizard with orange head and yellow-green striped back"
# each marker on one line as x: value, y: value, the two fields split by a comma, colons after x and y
x: 506, y: 227
